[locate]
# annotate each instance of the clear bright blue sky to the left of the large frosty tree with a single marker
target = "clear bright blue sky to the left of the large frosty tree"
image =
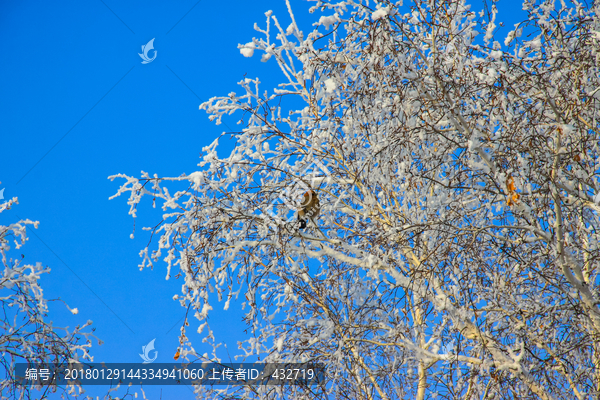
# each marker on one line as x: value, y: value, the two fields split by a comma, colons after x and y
x: 77, y: 106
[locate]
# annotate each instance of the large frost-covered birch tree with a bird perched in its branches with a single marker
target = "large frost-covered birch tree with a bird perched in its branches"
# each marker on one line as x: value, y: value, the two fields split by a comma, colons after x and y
x: 455, y: 255
